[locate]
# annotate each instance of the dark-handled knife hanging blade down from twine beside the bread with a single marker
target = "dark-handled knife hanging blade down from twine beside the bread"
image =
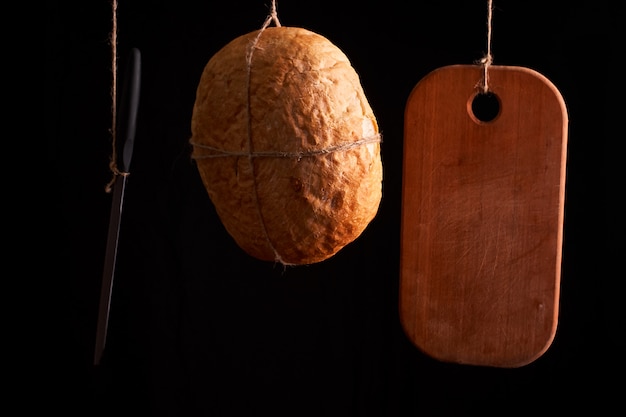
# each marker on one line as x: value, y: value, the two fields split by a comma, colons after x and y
x: 125, y: 132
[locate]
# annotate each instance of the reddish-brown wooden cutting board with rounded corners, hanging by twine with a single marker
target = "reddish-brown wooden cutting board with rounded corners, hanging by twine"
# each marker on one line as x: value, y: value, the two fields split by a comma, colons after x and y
x: 482, y: 216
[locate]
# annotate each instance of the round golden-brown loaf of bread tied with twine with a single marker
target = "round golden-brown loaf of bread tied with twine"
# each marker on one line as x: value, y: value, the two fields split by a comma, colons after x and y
x: 287, y: 145
